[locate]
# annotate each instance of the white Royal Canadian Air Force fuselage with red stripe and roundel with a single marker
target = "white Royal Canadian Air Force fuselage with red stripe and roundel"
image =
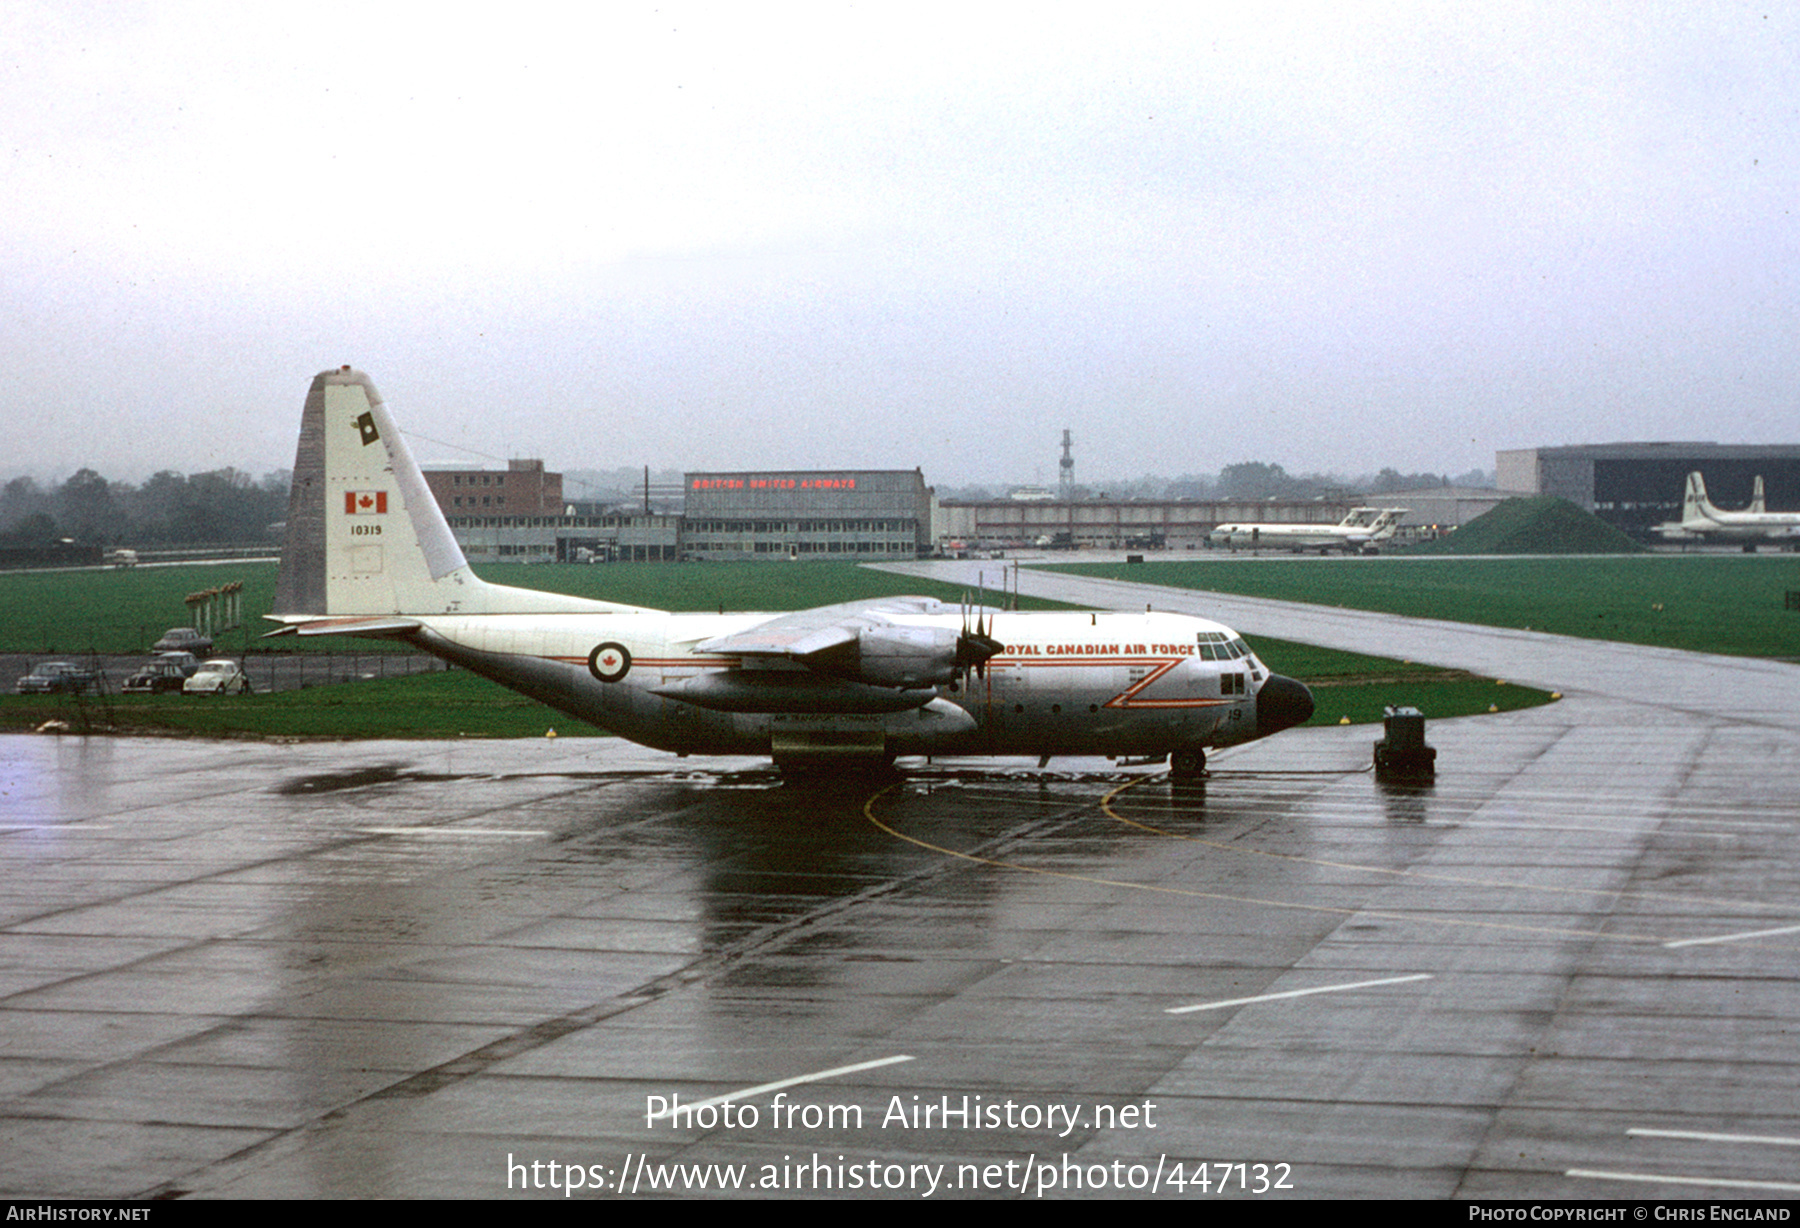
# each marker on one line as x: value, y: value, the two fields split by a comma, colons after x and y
x: 1090, y: 683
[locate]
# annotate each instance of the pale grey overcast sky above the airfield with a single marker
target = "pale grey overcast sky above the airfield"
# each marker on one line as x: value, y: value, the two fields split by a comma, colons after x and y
x: 791, y: 237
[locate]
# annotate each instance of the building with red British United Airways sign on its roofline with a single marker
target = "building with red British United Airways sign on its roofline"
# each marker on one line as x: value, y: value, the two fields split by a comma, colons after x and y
x: 870, y: 516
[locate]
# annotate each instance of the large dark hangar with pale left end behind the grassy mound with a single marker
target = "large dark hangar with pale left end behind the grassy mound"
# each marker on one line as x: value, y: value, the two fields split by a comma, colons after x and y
x: 1641, y: 485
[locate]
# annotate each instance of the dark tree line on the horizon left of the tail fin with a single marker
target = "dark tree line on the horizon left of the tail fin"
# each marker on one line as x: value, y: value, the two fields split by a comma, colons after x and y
x: 220, y: 507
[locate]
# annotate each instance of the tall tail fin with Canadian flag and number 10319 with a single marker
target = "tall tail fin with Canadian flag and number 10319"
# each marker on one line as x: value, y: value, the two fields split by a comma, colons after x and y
x: 366, y: 537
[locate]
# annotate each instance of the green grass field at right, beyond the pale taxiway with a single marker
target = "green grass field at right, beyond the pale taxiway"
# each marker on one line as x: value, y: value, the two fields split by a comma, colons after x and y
x: 1729, y: 604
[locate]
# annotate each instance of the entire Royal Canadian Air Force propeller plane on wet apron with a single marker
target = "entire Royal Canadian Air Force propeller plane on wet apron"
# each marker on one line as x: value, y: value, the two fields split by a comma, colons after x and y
x: 370, y: 554
